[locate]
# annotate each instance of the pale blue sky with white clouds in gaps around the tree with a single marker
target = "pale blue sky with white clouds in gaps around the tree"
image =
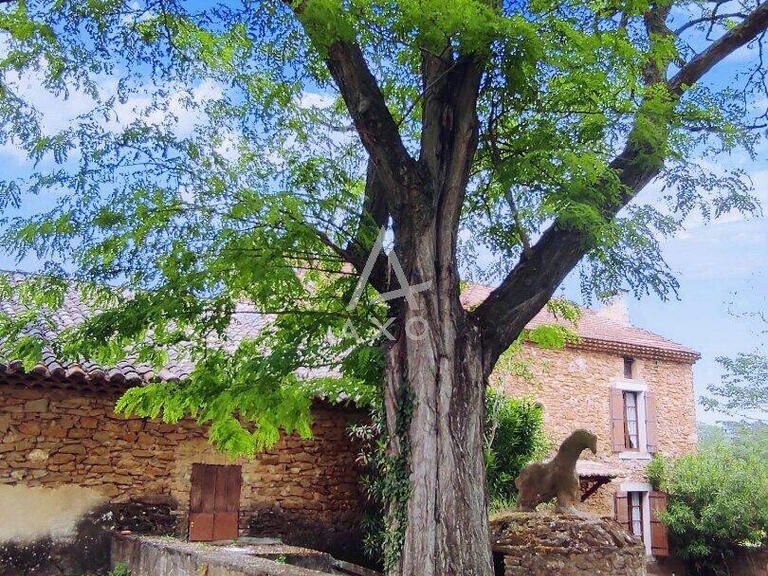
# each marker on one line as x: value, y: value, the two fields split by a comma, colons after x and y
x: 722, y: 266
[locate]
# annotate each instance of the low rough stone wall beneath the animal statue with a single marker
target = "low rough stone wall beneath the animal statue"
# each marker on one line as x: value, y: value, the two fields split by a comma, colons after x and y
x: 542, y: 544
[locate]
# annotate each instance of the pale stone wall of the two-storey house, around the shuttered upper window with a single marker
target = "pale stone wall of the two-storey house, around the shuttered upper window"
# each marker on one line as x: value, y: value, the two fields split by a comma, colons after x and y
x: 573, y: 386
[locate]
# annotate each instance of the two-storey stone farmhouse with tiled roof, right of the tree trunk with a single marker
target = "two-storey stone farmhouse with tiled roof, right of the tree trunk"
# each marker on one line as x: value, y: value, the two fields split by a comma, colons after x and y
x: 633, y: 389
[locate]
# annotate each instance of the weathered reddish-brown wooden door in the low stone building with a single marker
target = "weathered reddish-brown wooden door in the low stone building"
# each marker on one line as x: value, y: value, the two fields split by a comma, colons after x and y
x: 214, y: 502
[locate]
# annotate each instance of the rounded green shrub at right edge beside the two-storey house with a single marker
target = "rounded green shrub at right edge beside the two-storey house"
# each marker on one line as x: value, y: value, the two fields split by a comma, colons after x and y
x: 718, y: 502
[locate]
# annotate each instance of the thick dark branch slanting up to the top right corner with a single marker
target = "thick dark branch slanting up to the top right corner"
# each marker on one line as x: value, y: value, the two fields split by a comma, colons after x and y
x: 530, y: 285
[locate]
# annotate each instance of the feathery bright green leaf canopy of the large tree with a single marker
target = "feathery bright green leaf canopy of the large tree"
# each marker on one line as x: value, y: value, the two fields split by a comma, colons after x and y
x: 218, y: 155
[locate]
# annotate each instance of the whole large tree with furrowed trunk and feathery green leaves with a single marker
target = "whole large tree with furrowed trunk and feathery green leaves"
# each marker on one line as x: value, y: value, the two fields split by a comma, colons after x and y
x: 220, y: 148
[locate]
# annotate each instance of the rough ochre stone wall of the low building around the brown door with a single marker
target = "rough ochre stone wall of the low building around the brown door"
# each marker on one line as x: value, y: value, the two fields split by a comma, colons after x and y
x: 50, y: 438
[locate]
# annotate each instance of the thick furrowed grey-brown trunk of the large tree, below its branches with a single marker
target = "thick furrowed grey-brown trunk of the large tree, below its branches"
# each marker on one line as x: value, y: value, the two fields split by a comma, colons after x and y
x: 435, y: 415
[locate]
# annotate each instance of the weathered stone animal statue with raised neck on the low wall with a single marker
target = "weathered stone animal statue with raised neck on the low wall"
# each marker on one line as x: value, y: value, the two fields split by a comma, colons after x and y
x: 541, y: 481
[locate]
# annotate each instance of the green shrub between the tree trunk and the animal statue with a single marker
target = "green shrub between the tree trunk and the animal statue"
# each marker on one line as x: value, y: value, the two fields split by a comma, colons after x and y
x: 514, y: 437
